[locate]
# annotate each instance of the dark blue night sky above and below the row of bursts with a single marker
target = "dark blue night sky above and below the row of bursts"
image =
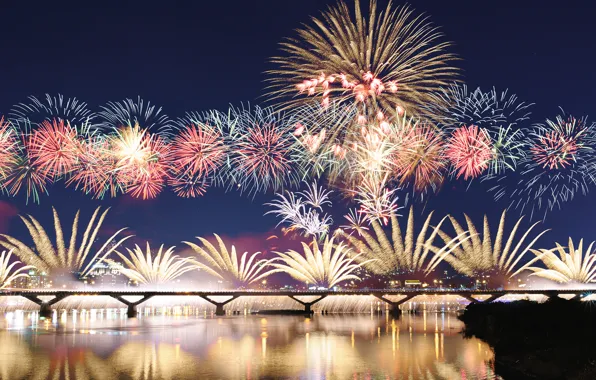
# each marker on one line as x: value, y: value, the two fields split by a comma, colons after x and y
x: 197, y: 56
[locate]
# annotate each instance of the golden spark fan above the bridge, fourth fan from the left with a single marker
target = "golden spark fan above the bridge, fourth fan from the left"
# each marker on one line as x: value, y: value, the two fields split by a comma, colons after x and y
x: 224, y: 264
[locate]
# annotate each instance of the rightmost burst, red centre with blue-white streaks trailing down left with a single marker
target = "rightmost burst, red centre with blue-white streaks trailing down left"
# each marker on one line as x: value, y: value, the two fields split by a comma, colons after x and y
x: 560, y: 163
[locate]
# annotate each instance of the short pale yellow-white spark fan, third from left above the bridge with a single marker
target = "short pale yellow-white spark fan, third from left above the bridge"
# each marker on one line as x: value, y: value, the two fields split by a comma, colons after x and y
x: 148, y: 268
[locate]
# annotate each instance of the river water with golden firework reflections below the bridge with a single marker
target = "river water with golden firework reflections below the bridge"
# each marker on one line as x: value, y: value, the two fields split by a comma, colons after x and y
x: 105, y: 345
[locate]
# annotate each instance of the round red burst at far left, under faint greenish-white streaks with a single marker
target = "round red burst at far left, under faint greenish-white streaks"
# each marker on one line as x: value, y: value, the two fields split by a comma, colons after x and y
x: 55, y: 147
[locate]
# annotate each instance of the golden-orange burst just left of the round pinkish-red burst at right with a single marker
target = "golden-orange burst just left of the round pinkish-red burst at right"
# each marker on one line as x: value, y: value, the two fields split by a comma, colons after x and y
x: 420, y: 157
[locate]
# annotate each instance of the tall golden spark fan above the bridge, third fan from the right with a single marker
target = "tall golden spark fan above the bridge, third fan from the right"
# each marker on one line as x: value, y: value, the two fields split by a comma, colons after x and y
x: 403, y: 255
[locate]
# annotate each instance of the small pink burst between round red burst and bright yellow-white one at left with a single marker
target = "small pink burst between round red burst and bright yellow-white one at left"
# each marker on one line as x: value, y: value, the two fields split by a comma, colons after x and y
x: 95, y: 171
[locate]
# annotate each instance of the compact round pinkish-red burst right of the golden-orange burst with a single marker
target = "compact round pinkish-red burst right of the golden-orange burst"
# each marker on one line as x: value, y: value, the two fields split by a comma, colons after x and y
x: 469, y: 150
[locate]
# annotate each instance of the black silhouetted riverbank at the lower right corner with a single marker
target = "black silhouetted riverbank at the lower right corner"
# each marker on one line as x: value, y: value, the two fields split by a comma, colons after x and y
x: 551, y: 340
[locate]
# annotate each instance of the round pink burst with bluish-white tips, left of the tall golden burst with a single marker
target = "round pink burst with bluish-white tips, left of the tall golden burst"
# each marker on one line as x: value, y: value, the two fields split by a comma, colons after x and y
x: 263, y: 155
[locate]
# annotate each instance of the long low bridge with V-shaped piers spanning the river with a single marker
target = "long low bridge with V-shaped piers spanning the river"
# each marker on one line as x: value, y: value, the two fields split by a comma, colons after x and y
x: 381, y: 294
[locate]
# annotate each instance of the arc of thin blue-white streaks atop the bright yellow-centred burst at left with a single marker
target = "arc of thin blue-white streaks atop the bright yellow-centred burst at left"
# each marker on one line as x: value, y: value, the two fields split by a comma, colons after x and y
x: 115, y: 115
